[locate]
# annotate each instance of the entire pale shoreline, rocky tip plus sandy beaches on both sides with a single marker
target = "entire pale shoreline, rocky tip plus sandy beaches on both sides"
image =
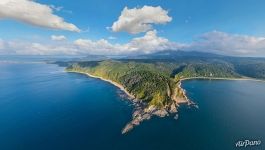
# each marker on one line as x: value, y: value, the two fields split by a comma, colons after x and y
x: 144, y: 112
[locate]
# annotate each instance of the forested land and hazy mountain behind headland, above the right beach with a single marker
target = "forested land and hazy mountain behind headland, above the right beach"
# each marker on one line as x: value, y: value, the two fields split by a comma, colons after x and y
x: 198, y: 64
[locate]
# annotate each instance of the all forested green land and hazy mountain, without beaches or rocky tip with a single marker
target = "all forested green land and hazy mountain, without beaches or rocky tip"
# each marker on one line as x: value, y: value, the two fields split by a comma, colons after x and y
x: 154, y: 78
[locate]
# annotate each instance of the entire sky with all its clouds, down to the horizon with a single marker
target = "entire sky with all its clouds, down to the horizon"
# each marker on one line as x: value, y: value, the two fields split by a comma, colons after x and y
x: 82, y: 27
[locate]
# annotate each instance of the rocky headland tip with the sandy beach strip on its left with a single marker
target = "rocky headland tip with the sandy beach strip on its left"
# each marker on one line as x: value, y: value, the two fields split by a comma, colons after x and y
x: 144, y: 112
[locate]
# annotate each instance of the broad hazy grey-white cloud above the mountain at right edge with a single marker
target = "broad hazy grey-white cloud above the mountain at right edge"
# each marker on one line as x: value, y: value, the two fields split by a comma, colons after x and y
x: 229, y: 44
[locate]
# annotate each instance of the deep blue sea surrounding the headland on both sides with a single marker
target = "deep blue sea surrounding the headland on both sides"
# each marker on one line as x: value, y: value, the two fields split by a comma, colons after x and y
x: 44, y: 108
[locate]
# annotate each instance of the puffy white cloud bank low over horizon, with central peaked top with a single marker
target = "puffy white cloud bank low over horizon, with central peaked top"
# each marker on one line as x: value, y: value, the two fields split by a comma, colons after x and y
x: 149, y: 43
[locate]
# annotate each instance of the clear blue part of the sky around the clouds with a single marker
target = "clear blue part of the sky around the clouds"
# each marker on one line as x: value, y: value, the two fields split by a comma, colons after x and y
x: 190, y: 19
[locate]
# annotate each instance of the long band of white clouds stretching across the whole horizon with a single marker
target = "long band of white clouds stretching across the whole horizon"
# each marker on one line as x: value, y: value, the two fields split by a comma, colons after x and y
x: 213, y: 42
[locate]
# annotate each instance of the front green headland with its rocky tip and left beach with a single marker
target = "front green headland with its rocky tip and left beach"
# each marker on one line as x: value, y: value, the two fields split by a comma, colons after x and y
x: 151, y: 90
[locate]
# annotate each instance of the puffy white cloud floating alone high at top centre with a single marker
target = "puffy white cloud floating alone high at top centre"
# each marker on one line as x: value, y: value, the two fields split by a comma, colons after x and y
x: 138, y: 20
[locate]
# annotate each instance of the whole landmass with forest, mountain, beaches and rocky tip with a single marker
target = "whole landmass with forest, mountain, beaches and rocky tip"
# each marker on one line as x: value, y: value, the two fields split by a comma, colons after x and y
x: 153, y: 82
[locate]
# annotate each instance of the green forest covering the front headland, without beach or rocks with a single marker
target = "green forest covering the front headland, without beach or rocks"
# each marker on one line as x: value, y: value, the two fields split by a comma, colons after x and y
x: 148, y: 82
